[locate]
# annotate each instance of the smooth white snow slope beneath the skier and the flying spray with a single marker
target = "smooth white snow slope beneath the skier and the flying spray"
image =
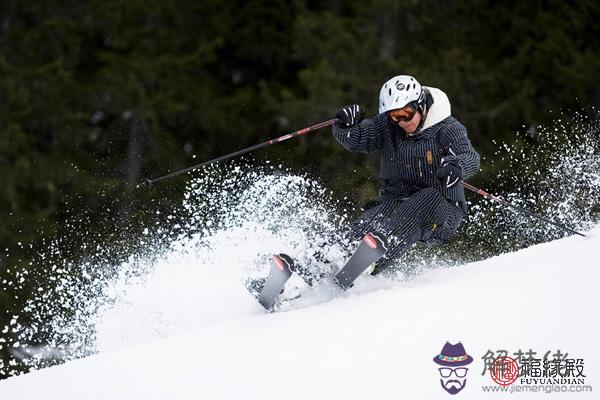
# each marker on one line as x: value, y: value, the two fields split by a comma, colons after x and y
x: 375, y: 341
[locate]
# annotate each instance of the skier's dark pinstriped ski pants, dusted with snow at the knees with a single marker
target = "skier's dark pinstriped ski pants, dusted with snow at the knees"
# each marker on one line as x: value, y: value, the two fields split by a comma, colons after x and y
x: 426, y: 216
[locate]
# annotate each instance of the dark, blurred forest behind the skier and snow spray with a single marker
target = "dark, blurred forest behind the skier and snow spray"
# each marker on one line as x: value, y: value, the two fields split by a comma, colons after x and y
x: 97, y: 95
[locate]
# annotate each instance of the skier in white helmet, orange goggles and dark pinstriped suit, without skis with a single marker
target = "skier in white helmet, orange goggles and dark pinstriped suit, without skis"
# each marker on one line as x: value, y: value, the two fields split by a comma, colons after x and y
x: 425, y: 152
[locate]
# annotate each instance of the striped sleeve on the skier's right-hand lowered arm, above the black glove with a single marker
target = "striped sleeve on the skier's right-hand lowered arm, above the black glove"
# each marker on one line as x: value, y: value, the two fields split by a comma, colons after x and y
x: 460, y: 151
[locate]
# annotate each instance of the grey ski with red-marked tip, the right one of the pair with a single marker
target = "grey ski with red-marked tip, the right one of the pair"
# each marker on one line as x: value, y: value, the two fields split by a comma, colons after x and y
x: 371, y: 248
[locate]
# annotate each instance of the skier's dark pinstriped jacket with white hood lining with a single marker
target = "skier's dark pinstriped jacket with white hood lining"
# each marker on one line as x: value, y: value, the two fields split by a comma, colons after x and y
x: 409, y: 163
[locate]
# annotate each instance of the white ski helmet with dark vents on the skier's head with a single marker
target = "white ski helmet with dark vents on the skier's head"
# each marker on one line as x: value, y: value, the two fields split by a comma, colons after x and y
x: 399, y: 92
